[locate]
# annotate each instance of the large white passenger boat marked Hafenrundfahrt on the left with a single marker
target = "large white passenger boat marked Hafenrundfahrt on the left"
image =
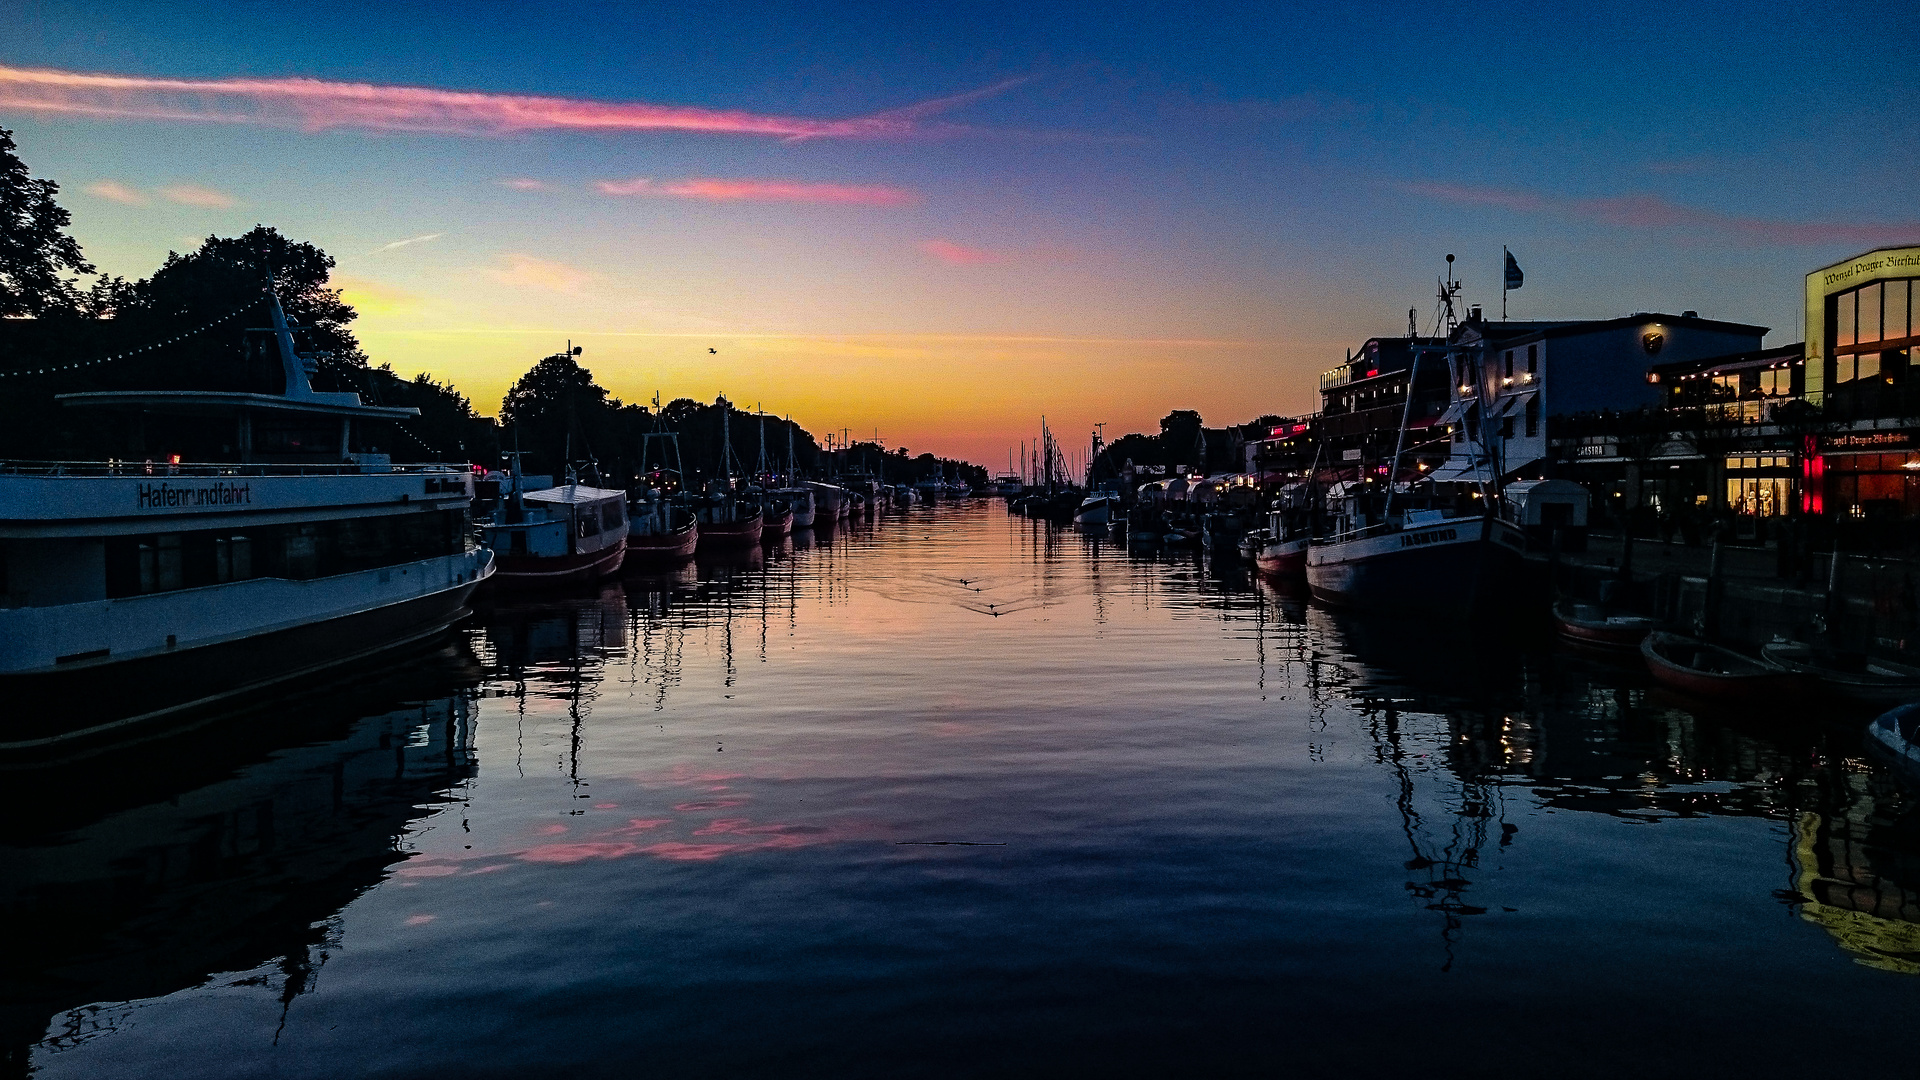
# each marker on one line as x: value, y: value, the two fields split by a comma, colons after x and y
x: 139, y: 591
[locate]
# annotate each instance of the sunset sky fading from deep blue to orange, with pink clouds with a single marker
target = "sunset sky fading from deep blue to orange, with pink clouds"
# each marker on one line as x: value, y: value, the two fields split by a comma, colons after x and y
x: 940, y: 224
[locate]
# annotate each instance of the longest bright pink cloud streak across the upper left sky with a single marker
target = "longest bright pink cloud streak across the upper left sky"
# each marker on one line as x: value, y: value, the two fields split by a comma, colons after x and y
x: 320, y: 105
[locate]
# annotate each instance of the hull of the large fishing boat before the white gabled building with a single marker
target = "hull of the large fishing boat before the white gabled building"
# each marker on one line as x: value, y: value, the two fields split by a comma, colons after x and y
x: 1449, y: 564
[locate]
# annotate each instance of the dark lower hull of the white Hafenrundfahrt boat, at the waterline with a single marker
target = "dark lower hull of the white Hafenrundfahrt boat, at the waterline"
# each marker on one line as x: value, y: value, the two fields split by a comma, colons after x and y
x: 53, y: 712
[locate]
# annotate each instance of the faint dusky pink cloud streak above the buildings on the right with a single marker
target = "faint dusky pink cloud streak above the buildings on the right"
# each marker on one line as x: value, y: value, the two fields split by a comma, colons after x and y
x: 1656, y: 212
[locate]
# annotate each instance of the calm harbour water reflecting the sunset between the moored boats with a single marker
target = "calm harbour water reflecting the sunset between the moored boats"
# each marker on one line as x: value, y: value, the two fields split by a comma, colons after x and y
x: 961, y: 795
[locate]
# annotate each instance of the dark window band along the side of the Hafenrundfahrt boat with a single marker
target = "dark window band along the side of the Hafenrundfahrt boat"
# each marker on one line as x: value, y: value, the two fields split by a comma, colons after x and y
x: 168, y: 562
